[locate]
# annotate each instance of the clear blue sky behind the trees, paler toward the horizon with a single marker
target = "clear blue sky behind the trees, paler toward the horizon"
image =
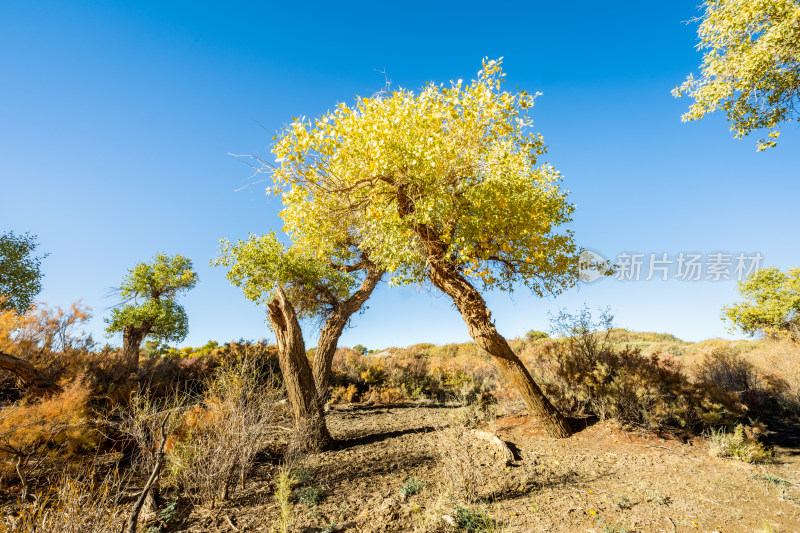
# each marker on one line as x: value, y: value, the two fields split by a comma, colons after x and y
x: 117, y: 118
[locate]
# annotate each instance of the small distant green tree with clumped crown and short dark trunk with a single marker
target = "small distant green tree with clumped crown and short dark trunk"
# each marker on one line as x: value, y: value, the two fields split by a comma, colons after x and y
x: 149, y: 308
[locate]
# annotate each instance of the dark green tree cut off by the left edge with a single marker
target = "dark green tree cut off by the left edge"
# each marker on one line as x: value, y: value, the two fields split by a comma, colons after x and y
x: 20, y: 271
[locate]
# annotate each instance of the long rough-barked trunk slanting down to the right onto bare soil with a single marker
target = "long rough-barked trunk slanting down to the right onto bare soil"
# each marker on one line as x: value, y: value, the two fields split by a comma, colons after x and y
x: 473, y: 310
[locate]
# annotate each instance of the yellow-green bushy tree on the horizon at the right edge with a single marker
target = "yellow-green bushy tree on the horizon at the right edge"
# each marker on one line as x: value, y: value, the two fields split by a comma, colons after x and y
x: 771, y: 304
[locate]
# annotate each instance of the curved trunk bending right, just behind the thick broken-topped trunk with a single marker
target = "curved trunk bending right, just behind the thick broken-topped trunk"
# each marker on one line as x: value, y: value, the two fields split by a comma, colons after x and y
x: 330, y: 333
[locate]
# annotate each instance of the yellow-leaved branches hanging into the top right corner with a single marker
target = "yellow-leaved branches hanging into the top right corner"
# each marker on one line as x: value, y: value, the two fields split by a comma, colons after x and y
x: 751, y: 66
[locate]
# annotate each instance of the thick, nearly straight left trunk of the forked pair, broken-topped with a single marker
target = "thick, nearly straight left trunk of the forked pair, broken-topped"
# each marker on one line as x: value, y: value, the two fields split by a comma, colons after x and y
x: 301, y: 393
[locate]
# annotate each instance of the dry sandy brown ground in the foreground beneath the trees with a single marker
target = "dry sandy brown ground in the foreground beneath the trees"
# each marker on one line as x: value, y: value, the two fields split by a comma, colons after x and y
x: 602, y: 480
